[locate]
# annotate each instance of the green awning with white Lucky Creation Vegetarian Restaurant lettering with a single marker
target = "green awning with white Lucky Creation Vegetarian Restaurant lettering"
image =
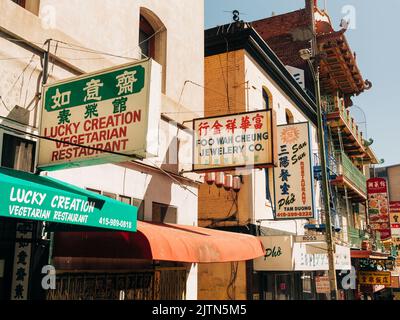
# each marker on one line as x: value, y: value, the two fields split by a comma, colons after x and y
x: 33, y: 197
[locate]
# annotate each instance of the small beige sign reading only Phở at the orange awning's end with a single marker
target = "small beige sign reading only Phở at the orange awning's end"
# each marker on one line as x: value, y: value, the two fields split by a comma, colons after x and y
x: 278, y: 254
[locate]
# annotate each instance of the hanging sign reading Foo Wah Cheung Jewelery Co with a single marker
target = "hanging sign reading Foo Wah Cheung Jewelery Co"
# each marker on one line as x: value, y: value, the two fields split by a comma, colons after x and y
x: 235, y: 140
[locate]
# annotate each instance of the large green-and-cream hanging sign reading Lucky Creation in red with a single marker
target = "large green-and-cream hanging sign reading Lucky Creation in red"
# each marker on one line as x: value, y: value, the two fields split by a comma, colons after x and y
x: 114, y: 110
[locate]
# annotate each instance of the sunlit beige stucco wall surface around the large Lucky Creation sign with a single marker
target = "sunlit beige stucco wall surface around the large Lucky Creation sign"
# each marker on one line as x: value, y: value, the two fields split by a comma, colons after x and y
x: 110, y: 26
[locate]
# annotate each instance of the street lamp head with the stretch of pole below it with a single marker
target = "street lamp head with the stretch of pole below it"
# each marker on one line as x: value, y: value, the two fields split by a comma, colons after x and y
x: 313, y: 62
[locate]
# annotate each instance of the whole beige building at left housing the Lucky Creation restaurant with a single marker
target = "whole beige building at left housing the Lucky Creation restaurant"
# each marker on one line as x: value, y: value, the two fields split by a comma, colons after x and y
x: 48, y: 43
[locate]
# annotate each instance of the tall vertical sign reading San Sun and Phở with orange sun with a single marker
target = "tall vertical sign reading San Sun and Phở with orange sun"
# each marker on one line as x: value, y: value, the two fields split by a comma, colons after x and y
x: 294, y: 197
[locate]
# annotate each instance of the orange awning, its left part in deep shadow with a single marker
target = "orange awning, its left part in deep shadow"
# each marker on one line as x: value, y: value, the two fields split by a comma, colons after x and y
x: 155, y: 241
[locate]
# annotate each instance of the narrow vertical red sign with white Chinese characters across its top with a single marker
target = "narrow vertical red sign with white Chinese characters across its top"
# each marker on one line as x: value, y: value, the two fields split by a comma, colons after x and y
x: 378, y: 206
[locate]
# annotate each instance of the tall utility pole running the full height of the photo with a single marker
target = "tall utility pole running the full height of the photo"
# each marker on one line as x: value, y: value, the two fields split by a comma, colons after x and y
x: 315, y: 54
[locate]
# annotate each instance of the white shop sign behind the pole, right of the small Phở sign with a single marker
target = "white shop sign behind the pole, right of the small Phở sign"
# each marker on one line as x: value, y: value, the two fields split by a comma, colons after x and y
x: 314, y: 256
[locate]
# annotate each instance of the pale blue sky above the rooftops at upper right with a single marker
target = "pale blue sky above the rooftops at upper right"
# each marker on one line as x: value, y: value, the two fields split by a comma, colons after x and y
x: 374, y: 38
